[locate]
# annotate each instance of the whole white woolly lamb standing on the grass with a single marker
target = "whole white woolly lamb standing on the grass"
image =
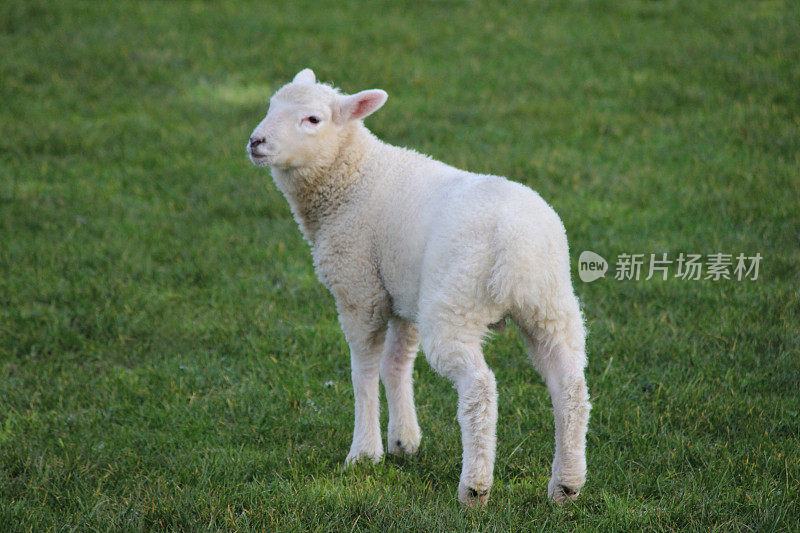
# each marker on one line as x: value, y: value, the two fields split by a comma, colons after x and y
x: 416, y: 251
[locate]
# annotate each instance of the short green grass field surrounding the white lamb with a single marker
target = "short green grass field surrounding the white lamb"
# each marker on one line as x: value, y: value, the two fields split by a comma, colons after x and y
x: 168, y: 359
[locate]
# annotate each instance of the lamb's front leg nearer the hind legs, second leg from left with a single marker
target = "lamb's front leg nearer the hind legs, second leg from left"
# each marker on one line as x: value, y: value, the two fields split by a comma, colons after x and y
x: 397, y: 365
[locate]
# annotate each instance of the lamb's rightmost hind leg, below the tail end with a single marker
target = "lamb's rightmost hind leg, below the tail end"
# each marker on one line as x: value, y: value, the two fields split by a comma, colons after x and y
x: 557, y: 351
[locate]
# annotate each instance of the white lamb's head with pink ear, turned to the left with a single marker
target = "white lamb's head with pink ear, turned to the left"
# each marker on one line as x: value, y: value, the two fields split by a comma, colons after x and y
x: 307, y: 123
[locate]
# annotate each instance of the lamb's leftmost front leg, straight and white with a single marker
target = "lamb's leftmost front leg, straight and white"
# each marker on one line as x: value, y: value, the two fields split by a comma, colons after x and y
x: 365, y: 356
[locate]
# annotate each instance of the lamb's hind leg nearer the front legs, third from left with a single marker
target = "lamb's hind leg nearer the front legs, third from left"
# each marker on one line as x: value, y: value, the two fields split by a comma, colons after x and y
x: 456, y: 354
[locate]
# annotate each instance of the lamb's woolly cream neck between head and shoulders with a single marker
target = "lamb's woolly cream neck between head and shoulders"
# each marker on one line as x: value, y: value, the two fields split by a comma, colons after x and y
x: 317, y: 193
